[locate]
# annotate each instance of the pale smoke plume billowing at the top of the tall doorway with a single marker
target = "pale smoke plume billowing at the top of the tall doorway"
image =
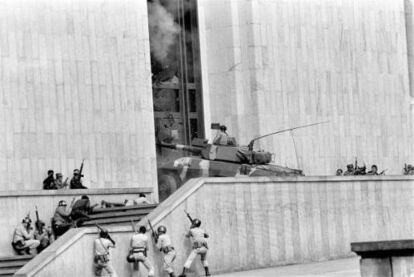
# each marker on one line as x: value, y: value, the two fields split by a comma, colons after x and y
x: 163, y: 32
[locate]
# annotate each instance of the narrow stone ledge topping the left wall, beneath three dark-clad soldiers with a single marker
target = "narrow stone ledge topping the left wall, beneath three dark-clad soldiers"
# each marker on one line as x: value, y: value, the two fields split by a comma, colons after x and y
x: 76, y: 192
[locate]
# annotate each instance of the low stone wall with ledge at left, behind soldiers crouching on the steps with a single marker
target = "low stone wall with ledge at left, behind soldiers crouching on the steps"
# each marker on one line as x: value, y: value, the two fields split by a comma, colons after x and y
x: 14, y: 206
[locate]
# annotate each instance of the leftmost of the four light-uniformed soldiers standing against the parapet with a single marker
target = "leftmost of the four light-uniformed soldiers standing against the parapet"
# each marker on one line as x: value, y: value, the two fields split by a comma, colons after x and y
x: 102, y: 258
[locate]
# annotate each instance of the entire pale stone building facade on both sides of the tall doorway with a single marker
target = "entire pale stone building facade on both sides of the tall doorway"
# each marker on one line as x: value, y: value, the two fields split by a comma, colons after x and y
x: 77, y: 83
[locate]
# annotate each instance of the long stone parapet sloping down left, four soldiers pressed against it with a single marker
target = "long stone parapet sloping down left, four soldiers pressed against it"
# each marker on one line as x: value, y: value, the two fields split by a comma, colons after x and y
x: 257, y: 222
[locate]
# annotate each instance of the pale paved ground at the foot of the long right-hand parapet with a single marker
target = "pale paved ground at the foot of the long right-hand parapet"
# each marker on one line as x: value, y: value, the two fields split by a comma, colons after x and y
x: 337, y: 268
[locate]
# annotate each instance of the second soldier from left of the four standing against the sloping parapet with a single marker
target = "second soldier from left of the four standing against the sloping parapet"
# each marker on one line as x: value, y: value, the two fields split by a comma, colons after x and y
x: 138, y: 250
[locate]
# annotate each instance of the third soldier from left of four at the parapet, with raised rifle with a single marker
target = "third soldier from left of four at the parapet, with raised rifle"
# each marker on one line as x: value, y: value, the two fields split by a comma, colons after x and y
x: 163, y: 243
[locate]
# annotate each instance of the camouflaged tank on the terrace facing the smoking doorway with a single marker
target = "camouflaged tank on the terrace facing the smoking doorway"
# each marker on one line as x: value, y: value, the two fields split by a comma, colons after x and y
x: 208, y: 160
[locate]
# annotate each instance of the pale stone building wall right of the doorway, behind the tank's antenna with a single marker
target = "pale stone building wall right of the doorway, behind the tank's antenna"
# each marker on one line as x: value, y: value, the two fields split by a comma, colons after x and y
x: 274, y: 64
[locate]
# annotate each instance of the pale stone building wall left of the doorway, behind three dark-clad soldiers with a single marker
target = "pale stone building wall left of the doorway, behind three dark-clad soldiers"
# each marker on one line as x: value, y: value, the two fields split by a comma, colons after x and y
x: 75, y: 83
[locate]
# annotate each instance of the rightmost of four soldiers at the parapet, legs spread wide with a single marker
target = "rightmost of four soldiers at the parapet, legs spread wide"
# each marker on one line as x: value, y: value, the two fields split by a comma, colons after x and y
x: 200, y: 246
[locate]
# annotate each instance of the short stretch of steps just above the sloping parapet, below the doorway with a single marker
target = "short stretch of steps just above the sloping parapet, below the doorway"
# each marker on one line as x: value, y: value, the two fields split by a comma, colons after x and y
x: 118, y: 215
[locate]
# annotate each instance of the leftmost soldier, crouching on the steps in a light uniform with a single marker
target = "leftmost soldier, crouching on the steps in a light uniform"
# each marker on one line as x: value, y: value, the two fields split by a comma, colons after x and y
x: 23, y: 237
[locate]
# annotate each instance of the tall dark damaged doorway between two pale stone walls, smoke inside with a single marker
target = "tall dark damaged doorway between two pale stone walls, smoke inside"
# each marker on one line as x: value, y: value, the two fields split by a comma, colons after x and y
x: 176, y: 83
